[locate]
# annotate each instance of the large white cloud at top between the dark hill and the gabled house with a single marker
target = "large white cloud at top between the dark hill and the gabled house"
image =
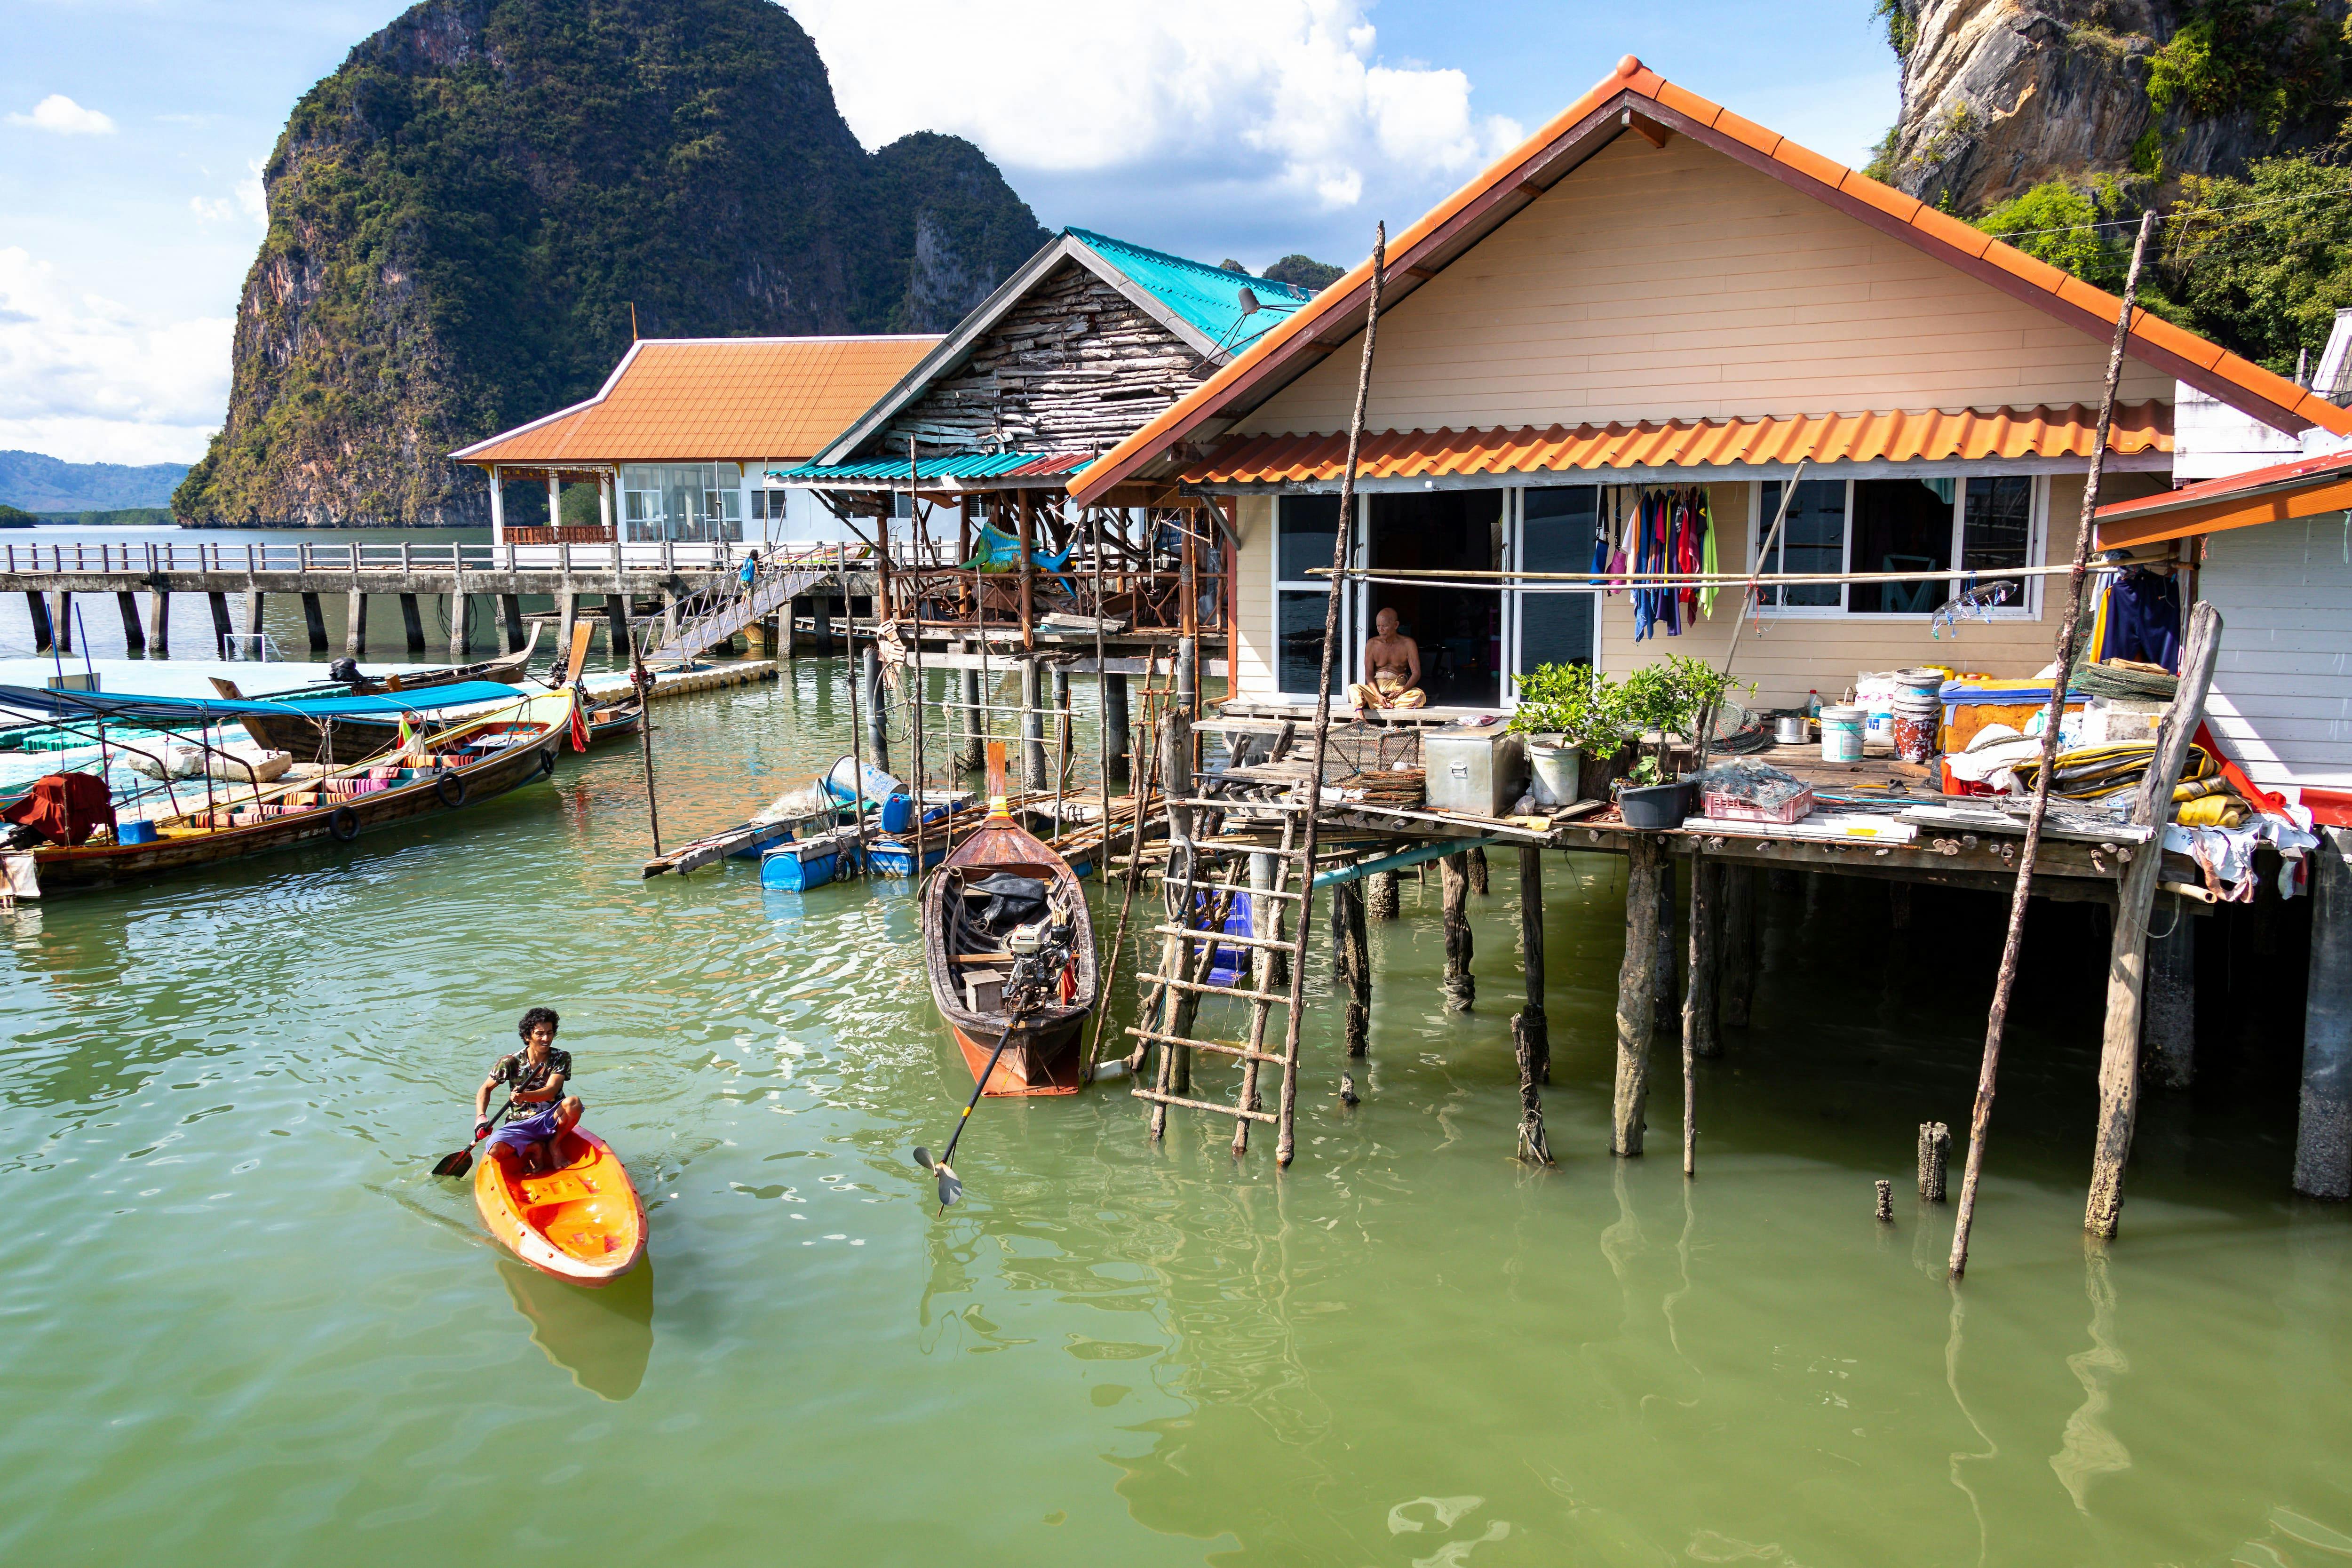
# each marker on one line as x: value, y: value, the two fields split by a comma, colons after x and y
x: 1278, y: 98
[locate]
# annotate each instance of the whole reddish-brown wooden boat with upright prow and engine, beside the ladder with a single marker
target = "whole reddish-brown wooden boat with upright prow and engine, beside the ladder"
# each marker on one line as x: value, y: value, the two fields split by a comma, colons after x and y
x: 1001, y: 906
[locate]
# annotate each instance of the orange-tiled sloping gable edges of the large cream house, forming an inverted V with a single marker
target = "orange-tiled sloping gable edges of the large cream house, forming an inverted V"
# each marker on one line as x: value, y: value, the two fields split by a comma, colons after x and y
x: 1633, y: 88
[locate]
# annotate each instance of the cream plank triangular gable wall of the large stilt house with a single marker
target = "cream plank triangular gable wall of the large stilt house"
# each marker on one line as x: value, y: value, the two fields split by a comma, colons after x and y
x: 1676, y: 283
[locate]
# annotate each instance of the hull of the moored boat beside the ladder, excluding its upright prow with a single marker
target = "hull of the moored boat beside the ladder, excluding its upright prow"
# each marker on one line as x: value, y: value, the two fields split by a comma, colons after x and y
x: 1045, y: 1054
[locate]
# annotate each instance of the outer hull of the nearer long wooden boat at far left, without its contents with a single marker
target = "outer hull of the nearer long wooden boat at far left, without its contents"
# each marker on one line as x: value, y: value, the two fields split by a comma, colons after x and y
x: 98, y: 866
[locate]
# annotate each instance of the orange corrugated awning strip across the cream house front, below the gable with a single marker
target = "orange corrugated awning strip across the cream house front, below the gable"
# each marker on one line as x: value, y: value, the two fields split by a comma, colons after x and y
x: 1704, y: 443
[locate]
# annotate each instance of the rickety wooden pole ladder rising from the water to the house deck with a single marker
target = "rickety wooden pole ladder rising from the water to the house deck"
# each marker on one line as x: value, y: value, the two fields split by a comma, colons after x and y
x: 1201, y: 887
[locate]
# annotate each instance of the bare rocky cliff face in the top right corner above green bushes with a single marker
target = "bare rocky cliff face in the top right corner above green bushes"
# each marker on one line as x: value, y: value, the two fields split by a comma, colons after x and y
x: 2003, y: 95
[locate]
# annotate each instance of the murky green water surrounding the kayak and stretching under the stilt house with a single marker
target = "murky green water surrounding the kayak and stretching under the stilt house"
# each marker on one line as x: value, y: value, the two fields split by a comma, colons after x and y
x: 241, y: 1325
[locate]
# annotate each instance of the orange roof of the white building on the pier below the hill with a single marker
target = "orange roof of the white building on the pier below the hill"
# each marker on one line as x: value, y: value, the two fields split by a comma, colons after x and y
x: 700, y: 401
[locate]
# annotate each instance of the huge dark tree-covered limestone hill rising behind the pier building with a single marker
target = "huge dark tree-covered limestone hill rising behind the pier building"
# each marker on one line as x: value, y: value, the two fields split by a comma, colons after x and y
x: 467, y: 210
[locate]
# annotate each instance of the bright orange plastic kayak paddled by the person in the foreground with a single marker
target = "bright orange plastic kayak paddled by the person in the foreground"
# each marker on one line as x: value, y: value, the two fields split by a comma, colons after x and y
x: 580, y: 1221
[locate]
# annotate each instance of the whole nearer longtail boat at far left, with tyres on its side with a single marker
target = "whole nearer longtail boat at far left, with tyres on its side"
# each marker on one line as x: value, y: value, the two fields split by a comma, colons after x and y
x: 469, y: 763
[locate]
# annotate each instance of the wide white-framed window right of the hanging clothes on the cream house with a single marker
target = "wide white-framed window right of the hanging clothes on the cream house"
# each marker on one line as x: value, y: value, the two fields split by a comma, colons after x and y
x: 1963, y: 528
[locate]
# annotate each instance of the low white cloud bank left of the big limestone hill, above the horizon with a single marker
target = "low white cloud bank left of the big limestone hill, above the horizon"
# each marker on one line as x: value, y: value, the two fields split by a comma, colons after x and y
x: 88, y: 380
